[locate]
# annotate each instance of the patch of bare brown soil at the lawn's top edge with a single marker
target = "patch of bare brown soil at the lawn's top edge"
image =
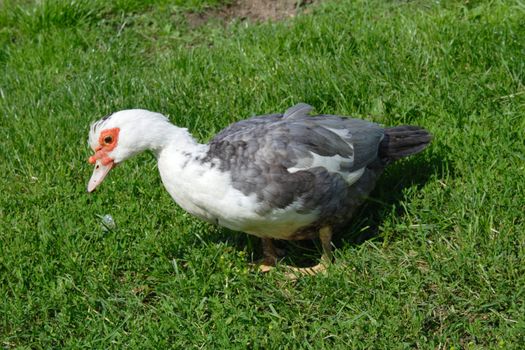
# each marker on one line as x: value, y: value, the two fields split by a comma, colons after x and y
x: 252, y: 10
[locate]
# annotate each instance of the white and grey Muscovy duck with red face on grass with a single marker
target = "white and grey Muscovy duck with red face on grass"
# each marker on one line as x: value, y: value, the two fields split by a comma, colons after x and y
x: 282, y: 176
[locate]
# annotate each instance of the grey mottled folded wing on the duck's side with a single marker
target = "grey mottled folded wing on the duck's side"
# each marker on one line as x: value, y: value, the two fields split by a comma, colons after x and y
x: 290, y: 157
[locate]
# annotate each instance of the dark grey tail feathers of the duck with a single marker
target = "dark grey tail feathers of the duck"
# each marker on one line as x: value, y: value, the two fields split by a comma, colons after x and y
x: 403, y: 141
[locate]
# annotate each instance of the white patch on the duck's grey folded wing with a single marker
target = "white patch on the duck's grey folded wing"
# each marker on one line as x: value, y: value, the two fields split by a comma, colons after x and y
x: 331, y: 164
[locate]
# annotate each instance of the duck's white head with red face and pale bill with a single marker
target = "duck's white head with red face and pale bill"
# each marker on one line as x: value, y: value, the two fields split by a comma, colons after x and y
x: 121, y: 135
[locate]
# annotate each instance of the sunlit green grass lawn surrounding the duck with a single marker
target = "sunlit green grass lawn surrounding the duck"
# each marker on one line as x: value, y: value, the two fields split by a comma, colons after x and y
x: 445, y: 264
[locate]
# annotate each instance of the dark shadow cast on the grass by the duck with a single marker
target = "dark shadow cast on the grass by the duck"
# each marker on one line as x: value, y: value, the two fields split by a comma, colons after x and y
x: 386, y: 198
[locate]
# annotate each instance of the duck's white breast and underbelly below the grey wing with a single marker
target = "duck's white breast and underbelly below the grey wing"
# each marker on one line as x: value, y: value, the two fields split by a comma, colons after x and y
x: 206, y: 192
